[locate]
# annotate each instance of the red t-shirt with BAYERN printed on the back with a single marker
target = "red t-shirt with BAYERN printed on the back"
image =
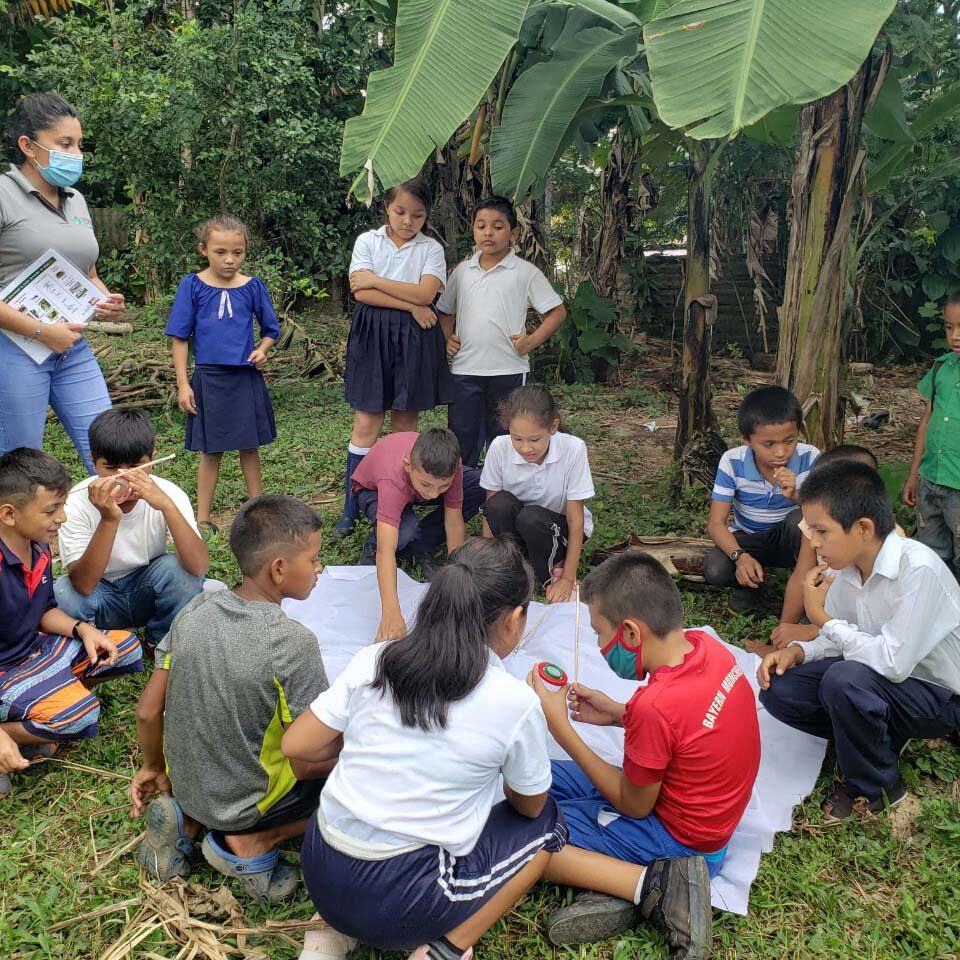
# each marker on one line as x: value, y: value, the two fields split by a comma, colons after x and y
x: 694, y: 728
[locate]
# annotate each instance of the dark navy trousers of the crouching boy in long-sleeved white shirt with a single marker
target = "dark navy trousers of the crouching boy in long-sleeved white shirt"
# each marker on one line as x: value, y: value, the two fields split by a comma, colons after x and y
x: 868, y: 717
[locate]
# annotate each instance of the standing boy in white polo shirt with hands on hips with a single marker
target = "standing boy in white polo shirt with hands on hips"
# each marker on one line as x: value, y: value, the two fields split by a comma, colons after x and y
x: 489, y: 295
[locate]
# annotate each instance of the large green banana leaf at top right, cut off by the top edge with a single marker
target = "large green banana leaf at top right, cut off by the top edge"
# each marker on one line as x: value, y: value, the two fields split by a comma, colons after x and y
x: 718, y: 66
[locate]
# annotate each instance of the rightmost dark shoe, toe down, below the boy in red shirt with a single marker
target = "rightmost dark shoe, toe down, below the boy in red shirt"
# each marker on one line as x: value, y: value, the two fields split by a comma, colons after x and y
x: 675, y: 898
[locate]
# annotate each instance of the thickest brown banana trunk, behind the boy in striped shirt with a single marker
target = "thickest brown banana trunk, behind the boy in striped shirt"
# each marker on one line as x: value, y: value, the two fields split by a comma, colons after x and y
x: 823, y: 196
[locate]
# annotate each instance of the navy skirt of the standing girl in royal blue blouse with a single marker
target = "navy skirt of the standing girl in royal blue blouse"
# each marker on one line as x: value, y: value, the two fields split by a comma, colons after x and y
x: 234, y: 411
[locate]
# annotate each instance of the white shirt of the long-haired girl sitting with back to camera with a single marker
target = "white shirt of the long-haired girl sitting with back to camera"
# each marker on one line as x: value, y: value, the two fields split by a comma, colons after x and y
x: 396, y: 789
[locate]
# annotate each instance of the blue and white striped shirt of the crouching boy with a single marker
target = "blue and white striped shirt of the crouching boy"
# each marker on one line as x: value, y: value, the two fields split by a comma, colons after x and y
x: 758, y: 504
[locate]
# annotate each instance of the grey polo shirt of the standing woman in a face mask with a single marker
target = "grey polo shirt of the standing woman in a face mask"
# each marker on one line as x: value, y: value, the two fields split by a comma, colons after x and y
x: 29, y: 227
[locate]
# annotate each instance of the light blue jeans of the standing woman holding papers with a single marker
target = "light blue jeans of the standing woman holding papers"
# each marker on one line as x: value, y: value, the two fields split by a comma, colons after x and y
x: 72, y: 383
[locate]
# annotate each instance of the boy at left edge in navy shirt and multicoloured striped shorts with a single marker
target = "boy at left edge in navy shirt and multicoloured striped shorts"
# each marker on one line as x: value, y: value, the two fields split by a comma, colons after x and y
x: 49, y: 659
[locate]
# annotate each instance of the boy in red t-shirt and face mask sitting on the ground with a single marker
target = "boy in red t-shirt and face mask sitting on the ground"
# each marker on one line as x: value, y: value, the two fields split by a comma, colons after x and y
x: 652, y: 832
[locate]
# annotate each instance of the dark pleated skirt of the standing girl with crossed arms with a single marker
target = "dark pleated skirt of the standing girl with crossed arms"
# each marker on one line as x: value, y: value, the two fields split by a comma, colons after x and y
x: 394, y: 364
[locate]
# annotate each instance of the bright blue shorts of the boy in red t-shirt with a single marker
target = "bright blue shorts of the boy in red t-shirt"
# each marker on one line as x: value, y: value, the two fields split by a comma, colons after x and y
x: 594, y: 825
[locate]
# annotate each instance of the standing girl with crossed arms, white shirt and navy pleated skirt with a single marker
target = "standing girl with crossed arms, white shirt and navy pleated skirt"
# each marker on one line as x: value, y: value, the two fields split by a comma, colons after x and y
x: 396, y: 352
